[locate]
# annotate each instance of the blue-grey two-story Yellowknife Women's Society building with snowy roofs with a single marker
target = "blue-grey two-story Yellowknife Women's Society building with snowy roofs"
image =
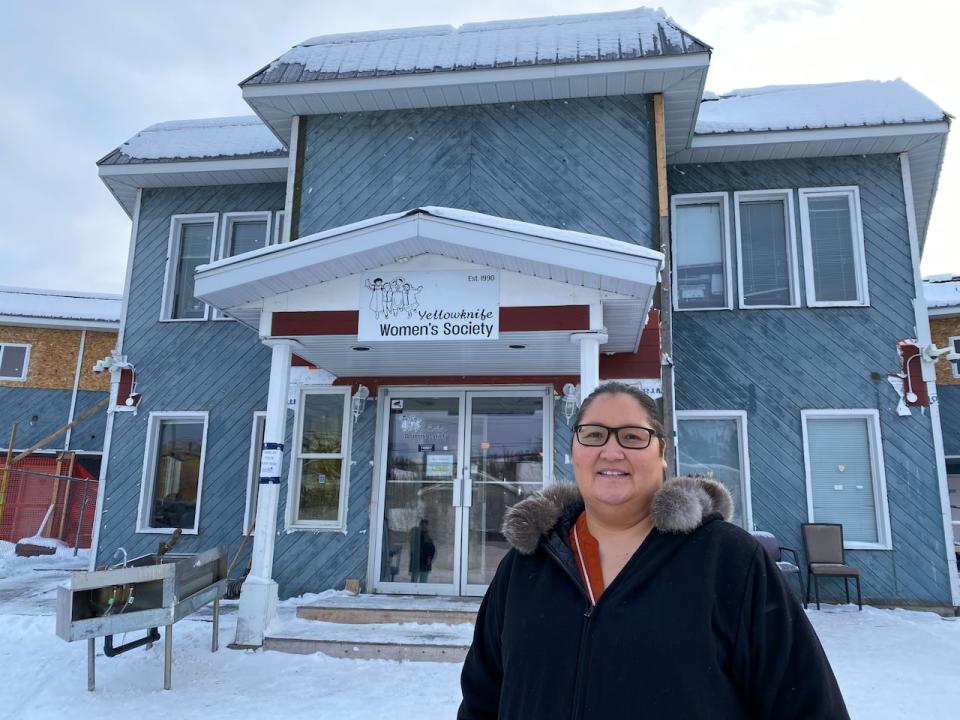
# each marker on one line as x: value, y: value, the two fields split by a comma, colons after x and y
x: 371, y: 310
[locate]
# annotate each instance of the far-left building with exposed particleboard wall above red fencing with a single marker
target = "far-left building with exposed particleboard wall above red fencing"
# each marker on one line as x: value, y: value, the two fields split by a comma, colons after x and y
x: 49, y: 343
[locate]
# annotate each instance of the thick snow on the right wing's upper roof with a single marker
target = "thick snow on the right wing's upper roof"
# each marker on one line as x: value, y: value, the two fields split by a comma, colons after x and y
x: 796, y: 107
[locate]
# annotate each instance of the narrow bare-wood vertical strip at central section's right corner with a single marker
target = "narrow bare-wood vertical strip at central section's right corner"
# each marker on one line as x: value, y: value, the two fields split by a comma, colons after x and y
x: 666, y: 298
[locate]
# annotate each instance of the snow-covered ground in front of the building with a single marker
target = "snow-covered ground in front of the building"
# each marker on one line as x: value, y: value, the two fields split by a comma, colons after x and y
x: 892, y: 664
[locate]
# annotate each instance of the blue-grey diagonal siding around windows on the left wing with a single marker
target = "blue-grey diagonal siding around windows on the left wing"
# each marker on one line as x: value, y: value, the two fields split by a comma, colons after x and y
x: 216, y: 366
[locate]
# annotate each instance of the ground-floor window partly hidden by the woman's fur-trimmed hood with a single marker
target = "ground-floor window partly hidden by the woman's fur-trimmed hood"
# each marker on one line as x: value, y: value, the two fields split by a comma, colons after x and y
x: 713, y: 443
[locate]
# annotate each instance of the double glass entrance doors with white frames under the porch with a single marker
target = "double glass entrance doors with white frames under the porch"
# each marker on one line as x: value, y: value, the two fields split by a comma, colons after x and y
x: 453, y: 462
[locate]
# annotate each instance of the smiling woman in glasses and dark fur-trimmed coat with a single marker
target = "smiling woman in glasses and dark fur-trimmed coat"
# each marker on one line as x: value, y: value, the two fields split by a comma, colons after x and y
x: 625, y: 596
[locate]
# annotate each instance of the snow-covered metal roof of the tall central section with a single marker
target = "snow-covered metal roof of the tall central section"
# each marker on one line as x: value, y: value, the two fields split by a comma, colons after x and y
x: 506, y: 43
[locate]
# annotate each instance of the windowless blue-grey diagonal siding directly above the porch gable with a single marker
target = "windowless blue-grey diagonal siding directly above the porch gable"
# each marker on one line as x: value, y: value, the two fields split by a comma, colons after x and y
x: 584, y: 165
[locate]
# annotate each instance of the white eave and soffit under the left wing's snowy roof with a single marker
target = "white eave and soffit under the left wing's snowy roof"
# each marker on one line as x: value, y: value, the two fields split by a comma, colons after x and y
x: 123, y: 181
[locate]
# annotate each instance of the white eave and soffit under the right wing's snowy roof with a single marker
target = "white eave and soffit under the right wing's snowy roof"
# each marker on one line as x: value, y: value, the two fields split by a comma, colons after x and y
x: 924, y: 144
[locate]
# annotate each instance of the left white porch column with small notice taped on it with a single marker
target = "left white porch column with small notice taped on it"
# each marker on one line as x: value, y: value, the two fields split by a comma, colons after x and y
x: 258, y: 596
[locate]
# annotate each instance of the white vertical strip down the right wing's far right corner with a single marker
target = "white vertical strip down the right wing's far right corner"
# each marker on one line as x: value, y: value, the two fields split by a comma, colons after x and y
x: 923, y: 338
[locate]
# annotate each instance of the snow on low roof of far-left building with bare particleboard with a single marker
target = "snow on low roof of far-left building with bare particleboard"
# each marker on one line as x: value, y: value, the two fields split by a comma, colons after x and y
x: 51, y: 304
